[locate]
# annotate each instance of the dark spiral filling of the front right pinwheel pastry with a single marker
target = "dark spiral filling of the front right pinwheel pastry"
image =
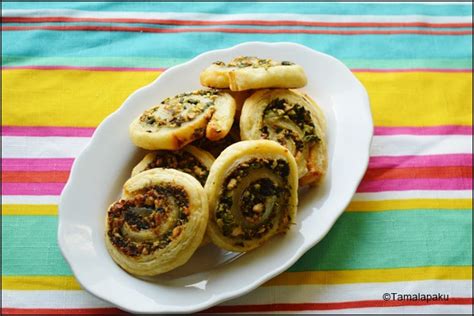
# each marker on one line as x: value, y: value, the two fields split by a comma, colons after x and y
x: 258, y: 203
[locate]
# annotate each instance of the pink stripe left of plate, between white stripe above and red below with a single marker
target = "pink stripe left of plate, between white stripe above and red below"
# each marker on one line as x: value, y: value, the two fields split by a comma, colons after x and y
x: 25, y: 164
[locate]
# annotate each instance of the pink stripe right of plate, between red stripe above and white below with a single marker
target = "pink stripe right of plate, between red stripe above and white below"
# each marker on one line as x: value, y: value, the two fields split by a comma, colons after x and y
x: 415, y: 184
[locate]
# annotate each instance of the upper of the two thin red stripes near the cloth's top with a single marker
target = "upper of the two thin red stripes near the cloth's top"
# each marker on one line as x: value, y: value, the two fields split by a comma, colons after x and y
x: 234, y: 22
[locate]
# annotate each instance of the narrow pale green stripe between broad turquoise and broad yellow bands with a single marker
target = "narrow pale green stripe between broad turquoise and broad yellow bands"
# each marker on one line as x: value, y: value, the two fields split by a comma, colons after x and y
x: 158, y: 62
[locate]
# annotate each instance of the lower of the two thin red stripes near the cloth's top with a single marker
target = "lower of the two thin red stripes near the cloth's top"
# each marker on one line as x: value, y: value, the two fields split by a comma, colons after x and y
x: 225, y: 30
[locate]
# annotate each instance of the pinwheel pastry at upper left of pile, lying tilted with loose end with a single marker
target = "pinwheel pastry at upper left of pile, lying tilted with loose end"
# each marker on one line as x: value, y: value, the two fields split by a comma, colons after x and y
x: 179, y: 120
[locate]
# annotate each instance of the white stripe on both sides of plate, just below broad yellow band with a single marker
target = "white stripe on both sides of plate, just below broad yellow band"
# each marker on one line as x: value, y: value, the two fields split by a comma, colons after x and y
x: 396, y: 145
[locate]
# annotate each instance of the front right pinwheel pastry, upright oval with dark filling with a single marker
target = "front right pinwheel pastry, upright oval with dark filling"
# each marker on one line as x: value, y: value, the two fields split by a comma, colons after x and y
x: 252, y: 192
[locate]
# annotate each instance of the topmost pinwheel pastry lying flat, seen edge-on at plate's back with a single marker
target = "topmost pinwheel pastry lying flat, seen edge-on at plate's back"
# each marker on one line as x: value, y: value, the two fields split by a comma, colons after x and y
x: 244, y: 73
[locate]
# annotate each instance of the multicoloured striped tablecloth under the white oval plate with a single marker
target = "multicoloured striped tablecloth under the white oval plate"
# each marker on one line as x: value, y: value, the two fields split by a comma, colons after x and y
x: 408, y: 230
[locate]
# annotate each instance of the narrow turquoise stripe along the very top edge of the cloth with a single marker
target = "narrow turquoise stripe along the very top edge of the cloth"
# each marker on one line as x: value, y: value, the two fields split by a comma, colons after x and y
x: 251, y: 7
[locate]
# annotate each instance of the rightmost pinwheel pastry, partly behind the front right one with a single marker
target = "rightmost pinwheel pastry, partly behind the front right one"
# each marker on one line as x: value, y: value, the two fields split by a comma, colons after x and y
x: 295, y: 121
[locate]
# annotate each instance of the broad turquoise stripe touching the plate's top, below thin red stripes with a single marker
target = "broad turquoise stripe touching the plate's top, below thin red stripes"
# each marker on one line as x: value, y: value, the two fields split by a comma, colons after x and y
x: 187, y: 45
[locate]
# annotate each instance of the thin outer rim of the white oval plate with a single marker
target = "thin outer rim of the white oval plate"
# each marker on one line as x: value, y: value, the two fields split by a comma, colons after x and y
x: 215, y: 300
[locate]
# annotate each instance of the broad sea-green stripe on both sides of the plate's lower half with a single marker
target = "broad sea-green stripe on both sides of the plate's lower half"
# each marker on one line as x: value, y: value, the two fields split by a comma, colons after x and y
x: 358, y: 241
